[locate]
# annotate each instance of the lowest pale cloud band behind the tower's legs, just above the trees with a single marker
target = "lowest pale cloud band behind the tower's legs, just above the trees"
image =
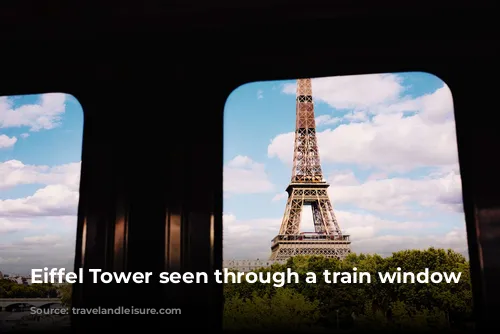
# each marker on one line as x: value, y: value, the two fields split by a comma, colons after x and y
x: 251, y: 239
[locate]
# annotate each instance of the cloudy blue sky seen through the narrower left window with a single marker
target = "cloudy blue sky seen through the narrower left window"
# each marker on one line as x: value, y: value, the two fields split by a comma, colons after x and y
x: 40, y: 153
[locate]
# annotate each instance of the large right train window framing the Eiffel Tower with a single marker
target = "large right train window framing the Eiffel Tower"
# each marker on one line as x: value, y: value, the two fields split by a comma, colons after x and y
x: 338, y: 173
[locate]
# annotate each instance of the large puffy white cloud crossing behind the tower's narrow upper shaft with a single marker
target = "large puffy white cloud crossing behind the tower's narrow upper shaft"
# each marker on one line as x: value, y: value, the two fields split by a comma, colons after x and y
x: 389, y: 141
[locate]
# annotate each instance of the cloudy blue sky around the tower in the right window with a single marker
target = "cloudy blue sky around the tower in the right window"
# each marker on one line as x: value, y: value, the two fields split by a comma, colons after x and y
x: 388, y: 149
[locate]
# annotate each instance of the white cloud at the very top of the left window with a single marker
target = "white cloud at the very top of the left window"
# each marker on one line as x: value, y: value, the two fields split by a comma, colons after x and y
x: 44, y: 115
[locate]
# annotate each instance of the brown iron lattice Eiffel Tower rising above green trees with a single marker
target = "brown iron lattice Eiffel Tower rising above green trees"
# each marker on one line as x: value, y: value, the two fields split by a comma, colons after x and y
x: 307, y: 187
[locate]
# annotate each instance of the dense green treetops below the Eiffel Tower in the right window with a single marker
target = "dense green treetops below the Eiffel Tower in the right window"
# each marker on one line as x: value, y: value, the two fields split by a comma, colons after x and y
x: 356, y: 307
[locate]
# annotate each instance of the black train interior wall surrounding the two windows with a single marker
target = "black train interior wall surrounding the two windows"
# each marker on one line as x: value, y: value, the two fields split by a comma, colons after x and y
x: 153, y: 78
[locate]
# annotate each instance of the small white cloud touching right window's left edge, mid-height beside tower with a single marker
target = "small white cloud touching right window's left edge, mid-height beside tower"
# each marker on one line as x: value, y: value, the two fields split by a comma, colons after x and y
x: 242, y: 175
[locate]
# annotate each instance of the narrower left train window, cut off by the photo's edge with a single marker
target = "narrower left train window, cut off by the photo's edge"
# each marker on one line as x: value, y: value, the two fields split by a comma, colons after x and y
x: 40, y: 153
